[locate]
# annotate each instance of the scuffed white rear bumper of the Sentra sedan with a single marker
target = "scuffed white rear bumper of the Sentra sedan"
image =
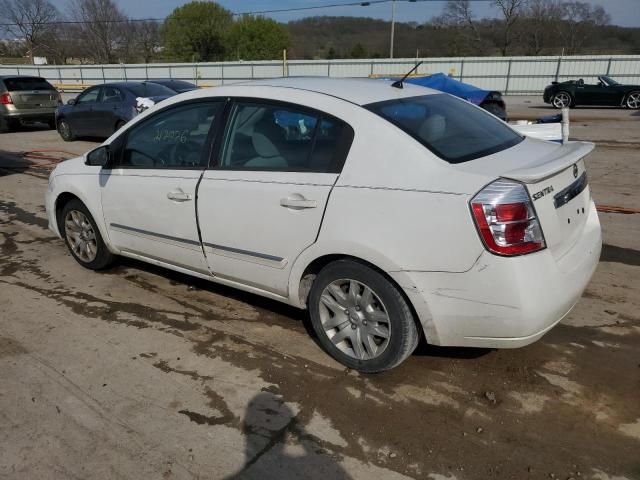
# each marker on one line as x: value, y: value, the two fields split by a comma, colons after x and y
x: 504, y: 302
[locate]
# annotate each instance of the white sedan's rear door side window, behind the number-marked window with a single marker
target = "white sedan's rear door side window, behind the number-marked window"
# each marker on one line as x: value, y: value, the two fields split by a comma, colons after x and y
x: 274, y: 137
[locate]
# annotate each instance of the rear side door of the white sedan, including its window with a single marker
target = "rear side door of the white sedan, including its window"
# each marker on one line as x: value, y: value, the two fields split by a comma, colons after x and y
x: 262, y: 204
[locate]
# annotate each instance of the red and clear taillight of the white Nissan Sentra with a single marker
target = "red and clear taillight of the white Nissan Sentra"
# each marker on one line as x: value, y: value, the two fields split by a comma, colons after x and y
x: 506, y: 219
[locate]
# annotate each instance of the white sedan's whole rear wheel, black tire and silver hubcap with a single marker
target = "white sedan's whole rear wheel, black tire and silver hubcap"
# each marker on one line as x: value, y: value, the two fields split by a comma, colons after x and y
x: 352, y: 320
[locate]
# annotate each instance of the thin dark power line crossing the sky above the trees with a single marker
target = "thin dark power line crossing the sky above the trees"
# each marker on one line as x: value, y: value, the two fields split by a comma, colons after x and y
x: 235, y: 14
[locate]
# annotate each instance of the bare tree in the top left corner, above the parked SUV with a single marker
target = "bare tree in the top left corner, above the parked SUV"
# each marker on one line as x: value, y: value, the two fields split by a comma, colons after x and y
x: 31, y: 20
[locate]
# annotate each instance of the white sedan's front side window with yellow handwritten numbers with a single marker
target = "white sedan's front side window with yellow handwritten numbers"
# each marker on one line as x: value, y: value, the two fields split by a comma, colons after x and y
x: 175, y: 138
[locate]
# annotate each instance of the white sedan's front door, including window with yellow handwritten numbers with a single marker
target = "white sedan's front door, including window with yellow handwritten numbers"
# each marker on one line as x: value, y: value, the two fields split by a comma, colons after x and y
x: 148, y: 197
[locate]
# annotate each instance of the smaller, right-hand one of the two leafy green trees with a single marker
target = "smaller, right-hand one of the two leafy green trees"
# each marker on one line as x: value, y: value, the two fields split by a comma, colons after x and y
x: 256, y: 38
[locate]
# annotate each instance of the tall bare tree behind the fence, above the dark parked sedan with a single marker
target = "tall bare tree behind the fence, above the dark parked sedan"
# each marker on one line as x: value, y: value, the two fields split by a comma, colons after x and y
x: 102, y: 27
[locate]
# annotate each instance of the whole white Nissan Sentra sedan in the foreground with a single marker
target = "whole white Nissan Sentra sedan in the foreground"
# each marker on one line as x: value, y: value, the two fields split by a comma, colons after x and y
x: 390, y: 213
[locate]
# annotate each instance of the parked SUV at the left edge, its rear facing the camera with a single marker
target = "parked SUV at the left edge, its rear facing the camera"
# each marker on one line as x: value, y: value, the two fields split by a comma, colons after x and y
x: 26, y: 98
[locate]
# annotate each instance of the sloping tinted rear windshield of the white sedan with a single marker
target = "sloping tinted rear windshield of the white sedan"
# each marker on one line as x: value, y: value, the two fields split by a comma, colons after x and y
x: 452, y: 128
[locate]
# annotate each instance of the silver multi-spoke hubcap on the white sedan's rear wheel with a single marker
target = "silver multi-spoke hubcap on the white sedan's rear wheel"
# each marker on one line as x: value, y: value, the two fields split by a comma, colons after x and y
x: 355, y: 319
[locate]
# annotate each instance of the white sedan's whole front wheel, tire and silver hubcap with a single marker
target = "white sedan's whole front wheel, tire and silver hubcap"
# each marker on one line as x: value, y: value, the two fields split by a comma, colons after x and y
x: 77, y: 226
